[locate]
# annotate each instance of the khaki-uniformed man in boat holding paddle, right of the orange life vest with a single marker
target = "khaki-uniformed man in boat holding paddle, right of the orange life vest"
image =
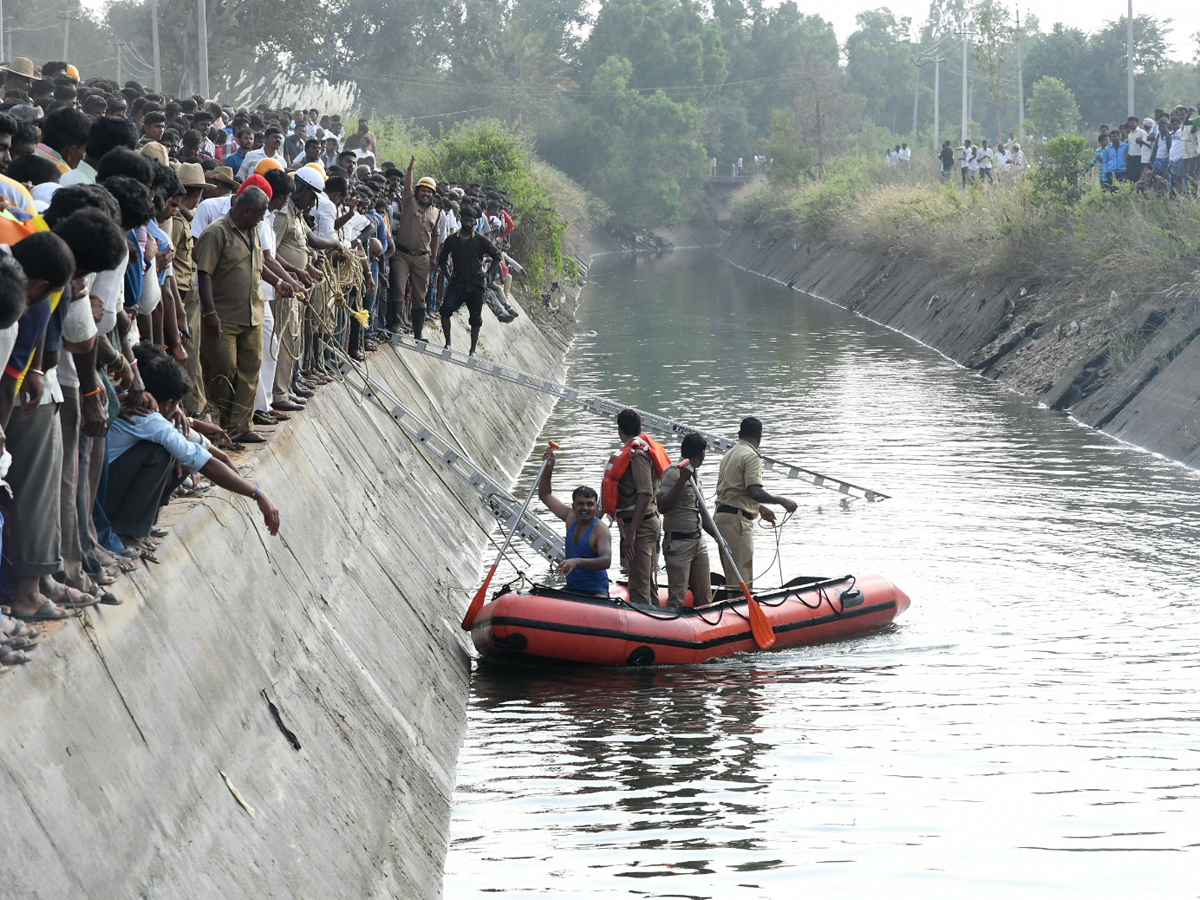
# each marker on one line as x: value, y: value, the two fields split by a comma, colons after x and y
x: 683, y: 526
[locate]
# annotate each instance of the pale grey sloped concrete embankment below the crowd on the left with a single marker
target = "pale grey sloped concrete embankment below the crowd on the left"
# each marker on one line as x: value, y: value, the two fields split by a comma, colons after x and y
x: 113, y: 742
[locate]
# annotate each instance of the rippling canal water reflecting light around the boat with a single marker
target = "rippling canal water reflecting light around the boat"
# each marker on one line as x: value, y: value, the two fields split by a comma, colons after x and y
x: 1031, y: 727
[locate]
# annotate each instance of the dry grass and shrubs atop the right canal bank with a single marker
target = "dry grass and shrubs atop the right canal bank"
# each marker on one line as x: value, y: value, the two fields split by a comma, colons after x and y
x: 1112, y: 249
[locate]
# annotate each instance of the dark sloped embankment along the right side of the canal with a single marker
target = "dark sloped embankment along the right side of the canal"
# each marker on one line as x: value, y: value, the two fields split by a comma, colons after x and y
x: 1131, y: 370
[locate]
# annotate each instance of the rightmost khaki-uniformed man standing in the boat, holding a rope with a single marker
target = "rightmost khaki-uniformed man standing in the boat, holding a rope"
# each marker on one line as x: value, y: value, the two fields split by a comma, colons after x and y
x: 741, y: 499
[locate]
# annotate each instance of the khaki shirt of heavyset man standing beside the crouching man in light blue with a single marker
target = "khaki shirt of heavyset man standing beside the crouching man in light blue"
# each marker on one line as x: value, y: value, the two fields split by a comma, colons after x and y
x: 235, y: 262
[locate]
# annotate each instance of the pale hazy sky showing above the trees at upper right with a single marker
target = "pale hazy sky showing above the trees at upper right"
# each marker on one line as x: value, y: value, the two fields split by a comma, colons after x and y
x: 1087, y: 15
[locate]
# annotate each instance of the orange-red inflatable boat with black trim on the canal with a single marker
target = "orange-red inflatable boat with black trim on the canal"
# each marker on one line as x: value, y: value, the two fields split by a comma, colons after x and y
x: 553, y: 625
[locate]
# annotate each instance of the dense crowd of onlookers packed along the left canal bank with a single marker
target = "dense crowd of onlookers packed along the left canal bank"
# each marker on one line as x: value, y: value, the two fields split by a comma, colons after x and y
x: 176, y: 278
